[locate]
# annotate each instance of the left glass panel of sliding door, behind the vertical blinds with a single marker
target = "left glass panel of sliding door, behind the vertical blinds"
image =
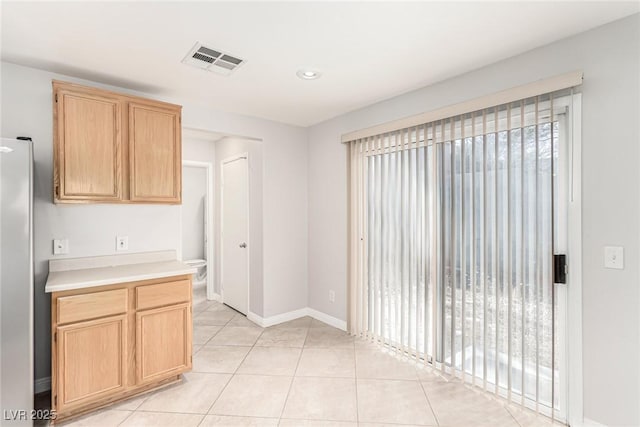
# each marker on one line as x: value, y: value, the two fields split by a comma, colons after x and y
x: 399, y: 213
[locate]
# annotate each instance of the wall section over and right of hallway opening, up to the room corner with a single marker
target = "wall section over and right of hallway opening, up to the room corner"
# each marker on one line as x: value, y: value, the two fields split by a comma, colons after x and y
x: 284, y: 203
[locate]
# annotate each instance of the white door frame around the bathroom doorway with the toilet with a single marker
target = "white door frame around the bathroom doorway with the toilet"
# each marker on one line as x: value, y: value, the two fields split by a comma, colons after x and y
x: 209, y: 216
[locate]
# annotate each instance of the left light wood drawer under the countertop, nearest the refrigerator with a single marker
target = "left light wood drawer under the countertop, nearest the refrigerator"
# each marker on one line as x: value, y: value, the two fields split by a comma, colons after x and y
x: 91, y: 306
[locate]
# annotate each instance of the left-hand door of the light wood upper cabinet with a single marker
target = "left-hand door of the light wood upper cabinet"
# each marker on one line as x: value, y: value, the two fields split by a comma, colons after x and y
x: 87, y: 147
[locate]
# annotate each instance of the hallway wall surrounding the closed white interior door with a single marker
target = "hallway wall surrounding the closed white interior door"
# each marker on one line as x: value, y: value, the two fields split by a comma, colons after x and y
x: 226, y: 148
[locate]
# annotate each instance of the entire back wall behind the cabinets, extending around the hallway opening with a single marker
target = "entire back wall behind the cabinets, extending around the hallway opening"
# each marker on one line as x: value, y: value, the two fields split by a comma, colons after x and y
x: 91, y: 229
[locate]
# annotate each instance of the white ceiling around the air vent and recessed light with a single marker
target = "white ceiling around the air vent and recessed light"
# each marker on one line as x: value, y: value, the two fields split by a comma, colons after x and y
x: 366, y: 51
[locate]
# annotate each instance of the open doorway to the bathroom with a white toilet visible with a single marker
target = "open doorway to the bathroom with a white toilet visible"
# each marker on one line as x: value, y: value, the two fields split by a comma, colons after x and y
x: 196, y: 225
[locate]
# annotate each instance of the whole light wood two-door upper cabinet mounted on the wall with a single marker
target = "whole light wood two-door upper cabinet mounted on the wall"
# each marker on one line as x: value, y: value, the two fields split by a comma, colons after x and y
x: 115, y: 148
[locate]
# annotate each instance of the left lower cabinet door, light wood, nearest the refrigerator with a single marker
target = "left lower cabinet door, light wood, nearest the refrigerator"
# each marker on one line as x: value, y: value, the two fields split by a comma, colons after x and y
x: 91, y: 363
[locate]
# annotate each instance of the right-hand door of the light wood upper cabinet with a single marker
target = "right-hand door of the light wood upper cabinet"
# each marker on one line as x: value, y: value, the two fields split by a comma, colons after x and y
x: 155, y: 155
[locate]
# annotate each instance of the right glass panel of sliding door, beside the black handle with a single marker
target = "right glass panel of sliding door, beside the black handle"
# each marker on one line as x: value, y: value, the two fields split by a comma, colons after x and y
x: 497, y: 302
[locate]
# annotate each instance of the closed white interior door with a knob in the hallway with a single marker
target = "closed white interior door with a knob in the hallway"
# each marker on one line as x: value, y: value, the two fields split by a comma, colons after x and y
x: 235, y: 233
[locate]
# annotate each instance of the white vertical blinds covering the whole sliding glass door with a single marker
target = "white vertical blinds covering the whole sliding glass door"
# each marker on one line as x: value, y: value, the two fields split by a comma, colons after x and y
x: 451, y: 245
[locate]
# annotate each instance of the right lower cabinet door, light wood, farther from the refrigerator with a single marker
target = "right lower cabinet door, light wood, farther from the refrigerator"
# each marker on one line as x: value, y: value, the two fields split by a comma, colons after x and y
x: 163, y: 342
